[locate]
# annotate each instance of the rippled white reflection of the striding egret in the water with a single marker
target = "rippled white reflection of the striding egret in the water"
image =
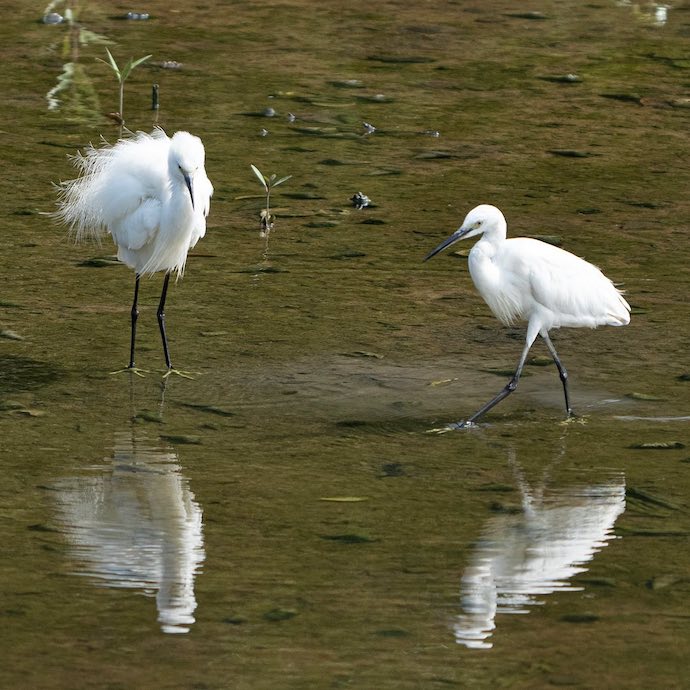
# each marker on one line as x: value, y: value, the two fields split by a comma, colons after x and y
x: 524, y: 556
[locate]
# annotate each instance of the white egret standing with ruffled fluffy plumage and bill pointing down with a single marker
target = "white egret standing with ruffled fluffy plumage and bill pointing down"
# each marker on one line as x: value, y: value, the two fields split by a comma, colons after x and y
x: 151, y: 193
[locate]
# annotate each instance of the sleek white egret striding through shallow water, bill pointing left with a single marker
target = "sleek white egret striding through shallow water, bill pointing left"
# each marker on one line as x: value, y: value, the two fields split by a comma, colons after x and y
x: 523, y: 279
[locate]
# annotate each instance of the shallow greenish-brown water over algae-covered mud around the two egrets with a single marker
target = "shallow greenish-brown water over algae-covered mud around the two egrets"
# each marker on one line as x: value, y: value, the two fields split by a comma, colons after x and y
x: 284, y: 520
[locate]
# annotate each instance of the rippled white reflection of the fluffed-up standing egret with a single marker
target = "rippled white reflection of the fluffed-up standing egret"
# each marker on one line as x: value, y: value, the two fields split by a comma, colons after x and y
x: 135, y: 524
